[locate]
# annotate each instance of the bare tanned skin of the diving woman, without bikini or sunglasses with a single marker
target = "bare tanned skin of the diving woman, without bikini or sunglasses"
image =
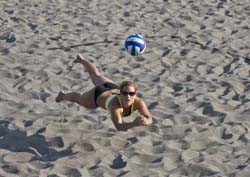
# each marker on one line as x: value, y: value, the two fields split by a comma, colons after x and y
x: 87, y: 99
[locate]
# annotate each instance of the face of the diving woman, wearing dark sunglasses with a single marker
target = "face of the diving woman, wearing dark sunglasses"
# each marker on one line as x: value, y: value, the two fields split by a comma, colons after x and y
x: 128, y: 94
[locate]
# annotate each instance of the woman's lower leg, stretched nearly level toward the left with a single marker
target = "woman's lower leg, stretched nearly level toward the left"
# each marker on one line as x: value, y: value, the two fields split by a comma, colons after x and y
x: 86, y: 99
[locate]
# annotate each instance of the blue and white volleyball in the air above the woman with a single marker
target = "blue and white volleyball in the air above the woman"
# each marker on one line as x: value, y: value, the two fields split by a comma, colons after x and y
x: 135, y: 44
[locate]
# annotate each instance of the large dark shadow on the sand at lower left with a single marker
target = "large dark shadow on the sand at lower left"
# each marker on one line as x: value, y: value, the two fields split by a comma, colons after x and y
x: 18, y: 141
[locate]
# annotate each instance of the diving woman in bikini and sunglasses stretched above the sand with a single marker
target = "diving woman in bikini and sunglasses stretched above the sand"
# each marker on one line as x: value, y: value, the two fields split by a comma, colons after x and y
x: 120, y: 101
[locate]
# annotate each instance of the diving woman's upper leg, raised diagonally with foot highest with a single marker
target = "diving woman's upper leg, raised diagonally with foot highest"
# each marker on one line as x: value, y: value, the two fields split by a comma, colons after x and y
x: 94, y: 73
